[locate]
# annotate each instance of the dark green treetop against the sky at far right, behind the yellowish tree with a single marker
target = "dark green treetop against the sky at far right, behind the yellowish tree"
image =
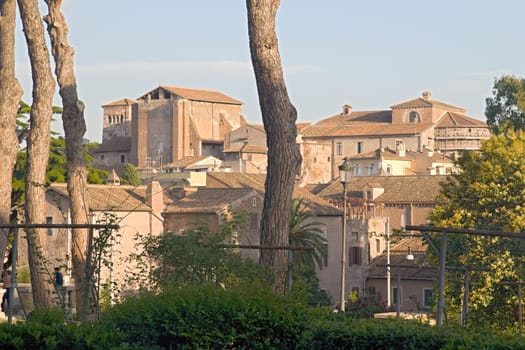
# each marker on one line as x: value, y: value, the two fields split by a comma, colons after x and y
x: 506, y: 109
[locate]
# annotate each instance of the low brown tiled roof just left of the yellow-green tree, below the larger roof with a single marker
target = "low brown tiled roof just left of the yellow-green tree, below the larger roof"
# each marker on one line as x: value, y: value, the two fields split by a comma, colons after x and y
x: 408, y: 269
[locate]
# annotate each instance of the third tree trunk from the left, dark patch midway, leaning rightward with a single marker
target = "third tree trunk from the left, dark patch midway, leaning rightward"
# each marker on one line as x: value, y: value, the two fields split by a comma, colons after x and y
x: 74, y: 128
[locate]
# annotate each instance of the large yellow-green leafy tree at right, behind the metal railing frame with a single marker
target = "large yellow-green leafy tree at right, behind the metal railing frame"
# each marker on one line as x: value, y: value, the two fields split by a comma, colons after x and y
x: 488, y: 193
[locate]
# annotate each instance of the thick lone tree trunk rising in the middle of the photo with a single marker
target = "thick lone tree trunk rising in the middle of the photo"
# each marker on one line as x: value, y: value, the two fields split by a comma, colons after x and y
x: 279, y: 116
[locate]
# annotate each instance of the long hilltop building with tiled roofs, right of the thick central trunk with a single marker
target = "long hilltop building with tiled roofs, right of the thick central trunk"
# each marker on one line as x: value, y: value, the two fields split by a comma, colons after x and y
x: 420, y: 124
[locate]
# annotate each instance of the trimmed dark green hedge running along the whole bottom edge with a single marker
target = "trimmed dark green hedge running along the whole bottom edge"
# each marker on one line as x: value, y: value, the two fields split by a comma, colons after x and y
x: 244, y: 318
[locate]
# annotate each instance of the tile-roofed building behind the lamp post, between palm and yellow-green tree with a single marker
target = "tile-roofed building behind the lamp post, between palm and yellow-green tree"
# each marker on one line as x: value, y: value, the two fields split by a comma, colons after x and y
x: 376, y: 206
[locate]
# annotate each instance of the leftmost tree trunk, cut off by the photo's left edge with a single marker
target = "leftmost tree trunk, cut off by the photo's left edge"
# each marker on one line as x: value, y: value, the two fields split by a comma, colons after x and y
x: 10, y: 94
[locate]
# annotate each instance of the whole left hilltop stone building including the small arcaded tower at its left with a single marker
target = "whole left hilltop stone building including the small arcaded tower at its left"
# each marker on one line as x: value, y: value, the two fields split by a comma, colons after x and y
x: 165, y: 125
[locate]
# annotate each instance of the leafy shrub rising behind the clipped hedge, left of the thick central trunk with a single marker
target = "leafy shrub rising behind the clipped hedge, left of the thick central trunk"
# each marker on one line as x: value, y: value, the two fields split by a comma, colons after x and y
x: 195, y: 256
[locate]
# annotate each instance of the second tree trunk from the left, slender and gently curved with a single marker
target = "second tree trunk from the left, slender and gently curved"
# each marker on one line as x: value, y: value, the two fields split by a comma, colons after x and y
x: 37, y: 147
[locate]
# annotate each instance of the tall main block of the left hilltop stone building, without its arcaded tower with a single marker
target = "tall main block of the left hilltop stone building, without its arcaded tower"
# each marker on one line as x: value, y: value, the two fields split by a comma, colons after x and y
x: 170, y: 123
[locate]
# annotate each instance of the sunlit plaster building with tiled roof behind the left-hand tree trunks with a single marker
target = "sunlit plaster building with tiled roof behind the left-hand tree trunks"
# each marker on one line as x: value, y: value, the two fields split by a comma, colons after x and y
x: 134, y: 209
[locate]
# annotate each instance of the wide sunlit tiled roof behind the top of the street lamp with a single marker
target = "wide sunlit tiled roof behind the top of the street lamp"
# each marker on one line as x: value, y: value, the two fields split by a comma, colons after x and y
x: 398, y: 189
